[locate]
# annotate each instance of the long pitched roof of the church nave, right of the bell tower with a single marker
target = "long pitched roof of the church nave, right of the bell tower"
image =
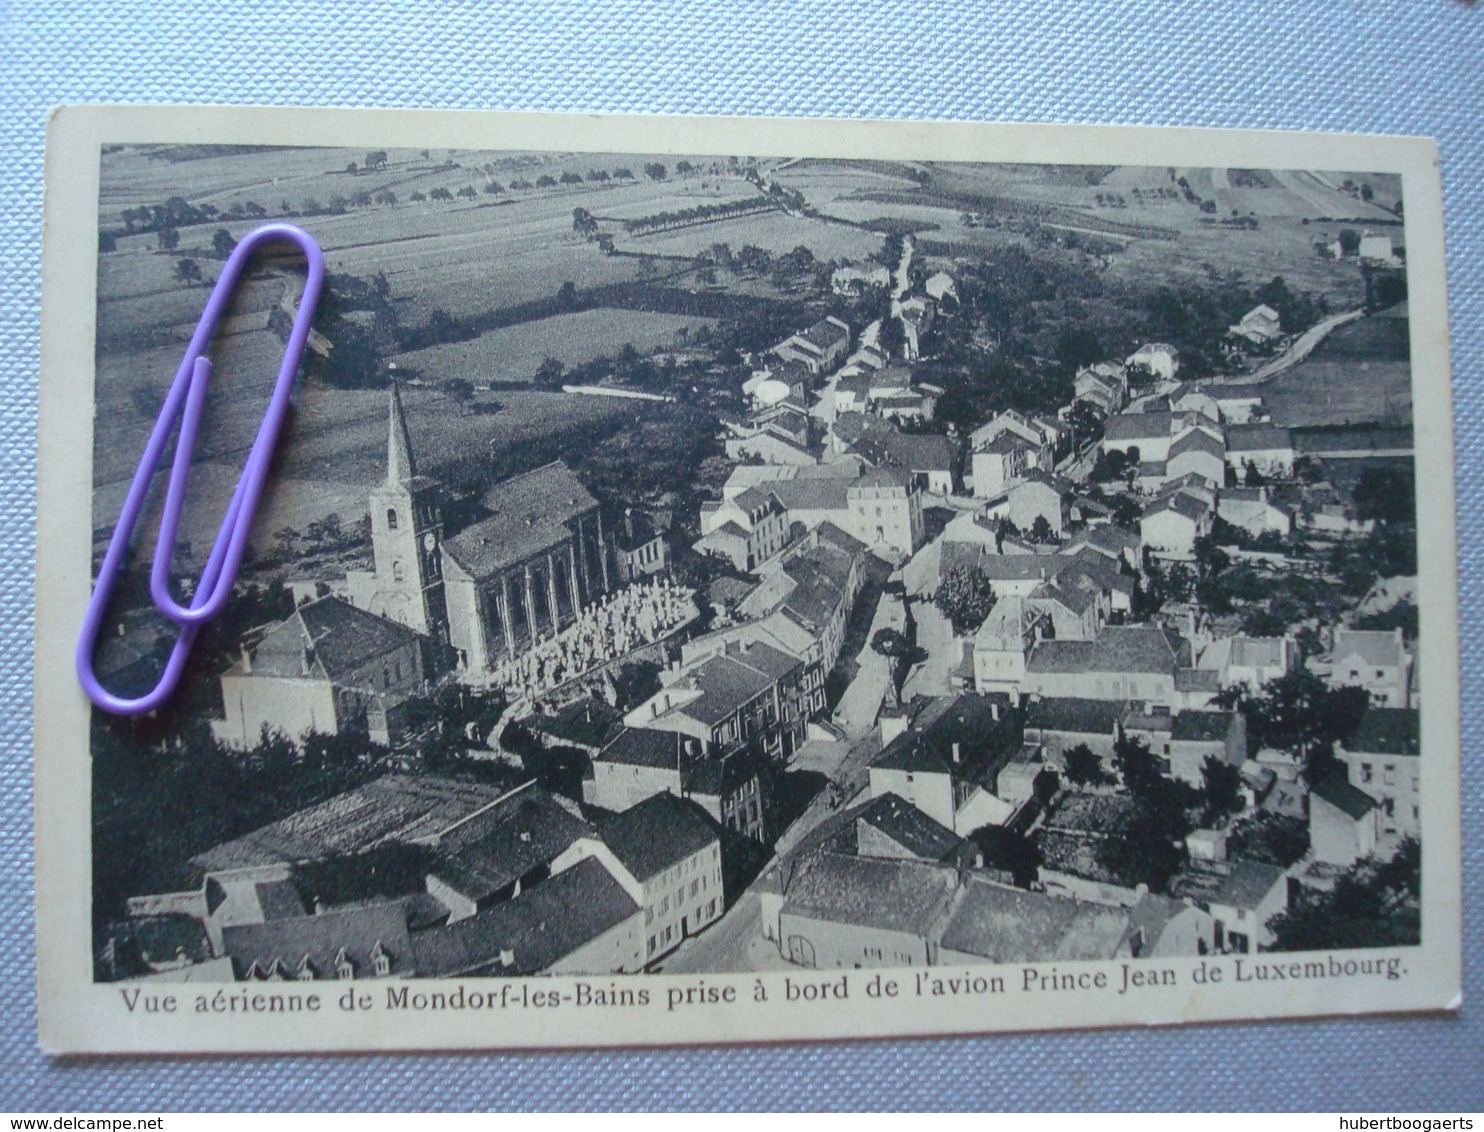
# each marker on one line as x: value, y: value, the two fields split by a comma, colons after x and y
x: 531, y: 514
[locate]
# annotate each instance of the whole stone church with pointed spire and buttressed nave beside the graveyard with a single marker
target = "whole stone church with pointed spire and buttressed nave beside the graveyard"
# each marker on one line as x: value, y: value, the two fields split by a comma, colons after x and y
x: 520, y: 573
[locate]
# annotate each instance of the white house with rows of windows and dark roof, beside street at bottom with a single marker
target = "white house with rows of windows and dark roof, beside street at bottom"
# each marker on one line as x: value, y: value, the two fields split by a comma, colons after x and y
x: 669, y: 858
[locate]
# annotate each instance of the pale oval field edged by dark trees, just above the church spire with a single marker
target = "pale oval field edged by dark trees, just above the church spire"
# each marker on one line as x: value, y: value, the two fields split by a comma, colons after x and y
x: 513, y: 354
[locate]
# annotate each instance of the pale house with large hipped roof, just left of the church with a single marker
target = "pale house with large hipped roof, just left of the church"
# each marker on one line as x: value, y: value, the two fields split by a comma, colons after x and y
x: 326, y: 670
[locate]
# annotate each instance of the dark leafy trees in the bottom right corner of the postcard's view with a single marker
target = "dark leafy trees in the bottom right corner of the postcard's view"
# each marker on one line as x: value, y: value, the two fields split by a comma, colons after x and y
x: 1375, y: 904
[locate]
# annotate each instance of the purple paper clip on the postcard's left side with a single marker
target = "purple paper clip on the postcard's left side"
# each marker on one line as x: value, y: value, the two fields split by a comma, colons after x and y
x: 183, y: 404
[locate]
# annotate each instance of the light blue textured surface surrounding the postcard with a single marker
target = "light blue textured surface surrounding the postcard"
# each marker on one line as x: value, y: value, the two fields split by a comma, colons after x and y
x: 1387, y: 66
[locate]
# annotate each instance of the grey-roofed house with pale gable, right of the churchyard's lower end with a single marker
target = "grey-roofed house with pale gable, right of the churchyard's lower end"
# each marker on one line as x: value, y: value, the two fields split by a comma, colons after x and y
x: 749, y: 697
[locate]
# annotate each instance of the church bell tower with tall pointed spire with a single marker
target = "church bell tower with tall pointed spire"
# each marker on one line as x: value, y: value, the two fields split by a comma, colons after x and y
x: 407, y: 536
